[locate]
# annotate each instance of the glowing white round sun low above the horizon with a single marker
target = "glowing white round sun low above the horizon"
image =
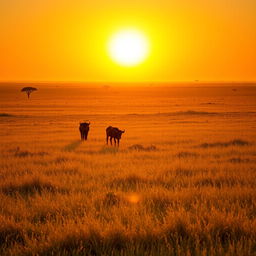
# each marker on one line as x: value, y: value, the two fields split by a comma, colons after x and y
x: 128, y: 47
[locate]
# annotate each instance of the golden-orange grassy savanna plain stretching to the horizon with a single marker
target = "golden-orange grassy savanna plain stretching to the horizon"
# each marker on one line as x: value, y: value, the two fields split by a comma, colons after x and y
x: 182, y: 182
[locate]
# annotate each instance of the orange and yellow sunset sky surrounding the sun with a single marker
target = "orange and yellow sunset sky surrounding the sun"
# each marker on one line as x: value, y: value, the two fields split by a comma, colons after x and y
x: 65, y: 40
